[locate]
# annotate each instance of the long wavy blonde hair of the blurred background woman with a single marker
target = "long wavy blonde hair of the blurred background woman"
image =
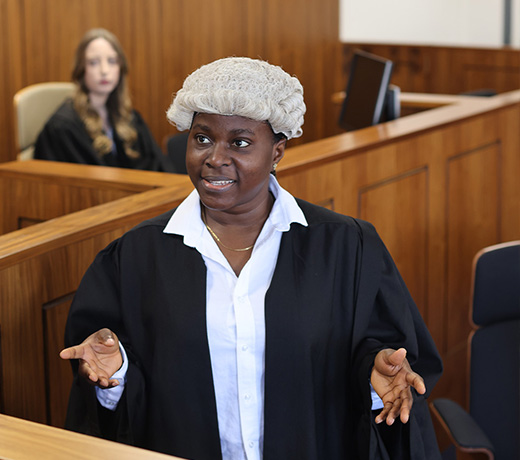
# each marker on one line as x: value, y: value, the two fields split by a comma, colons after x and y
x: 119, y: 105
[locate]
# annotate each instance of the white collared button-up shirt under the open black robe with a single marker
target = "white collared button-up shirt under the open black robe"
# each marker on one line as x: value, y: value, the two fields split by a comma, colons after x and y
x: 236, y: 320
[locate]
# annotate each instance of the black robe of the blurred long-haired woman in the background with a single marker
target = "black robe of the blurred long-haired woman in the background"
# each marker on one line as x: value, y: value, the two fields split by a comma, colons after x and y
x: 65, y: 138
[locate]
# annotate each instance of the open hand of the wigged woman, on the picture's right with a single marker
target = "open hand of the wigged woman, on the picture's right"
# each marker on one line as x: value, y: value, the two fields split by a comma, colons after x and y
x: 392, y: 379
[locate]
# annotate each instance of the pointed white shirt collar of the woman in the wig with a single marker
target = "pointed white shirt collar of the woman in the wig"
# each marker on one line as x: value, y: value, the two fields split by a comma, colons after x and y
x: 186, y: 220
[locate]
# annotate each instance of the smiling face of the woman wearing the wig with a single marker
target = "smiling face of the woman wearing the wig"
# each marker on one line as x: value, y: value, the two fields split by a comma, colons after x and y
x: 229, y: 159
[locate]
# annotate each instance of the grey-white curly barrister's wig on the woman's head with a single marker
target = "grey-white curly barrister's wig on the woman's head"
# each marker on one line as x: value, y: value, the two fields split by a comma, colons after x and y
x: 245, y: 87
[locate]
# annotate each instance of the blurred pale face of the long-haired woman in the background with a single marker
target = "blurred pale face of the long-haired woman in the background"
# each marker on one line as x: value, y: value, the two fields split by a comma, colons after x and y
x: 102, y: 67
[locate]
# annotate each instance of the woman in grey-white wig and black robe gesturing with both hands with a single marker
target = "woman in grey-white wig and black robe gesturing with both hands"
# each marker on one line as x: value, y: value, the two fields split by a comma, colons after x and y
x: 248, y: 324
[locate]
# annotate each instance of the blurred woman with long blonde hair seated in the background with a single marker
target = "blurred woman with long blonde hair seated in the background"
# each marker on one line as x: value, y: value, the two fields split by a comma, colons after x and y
x: 98, y: 125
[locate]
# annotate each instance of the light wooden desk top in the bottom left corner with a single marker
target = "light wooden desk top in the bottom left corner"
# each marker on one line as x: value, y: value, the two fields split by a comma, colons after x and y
x: 24, y: 440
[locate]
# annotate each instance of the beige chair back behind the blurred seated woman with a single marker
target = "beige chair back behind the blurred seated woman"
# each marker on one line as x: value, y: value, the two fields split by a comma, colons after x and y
x: 33, y: 106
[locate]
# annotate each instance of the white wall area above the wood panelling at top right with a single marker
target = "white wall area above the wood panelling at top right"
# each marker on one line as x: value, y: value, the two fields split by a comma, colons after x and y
x: 429, y: 22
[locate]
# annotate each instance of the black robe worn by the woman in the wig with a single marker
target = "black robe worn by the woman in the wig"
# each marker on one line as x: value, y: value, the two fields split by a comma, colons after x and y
x: 336, y: 298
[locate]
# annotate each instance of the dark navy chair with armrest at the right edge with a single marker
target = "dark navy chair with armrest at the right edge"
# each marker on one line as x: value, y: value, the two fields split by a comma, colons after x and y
x: 492, y: 425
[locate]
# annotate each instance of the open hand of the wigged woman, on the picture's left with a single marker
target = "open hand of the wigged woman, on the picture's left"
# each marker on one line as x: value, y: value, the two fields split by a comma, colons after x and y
x: 99, y: 358
